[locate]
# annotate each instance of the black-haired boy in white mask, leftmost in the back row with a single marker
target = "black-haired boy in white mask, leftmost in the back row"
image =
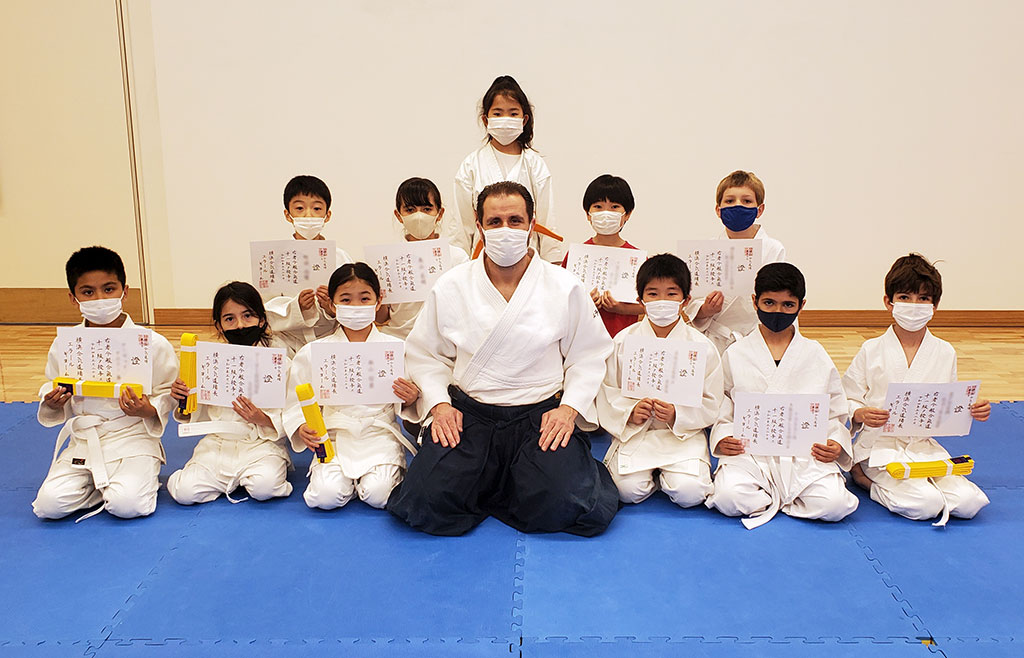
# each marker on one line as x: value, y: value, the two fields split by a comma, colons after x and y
x: 309, y: 316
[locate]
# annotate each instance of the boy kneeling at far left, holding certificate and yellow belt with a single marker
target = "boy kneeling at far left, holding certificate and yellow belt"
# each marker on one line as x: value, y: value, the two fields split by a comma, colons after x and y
x: 114, y: 452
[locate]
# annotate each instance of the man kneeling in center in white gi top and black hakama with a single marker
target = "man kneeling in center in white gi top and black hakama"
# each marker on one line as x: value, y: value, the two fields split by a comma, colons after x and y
x: 509, y: 353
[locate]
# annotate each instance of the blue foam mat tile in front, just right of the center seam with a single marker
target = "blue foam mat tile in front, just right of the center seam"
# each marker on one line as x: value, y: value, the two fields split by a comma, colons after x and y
x: 663, y: 572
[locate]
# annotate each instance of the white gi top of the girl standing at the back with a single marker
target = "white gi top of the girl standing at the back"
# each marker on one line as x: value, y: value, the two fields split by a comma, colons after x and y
x: 484, y: 167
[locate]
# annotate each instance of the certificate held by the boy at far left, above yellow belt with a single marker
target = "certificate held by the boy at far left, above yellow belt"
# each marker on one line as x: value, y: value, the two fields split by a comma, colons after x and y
x: 98, y: 355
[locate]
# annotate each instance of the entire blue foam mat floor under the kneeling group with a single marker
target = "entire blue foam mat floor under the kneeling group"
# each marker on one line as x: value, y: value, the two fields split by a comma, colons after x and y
x: 197, y: 581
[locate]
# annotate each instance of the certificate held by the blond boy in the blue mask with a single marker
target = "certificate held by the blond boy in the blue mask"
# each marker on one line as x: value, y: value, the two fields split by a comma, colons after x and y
x: 728, y: 266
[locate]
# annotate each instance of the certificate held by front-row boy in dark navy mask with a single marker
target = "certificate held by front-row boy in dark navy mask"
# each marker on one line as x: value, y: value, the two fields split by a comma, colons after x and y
x: 781, y: 424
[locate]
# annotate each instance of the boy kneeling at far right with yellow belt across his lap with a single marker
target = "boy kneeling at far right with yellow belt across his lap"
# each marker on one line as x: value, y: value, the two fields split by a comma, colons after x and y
x: 907, y: 353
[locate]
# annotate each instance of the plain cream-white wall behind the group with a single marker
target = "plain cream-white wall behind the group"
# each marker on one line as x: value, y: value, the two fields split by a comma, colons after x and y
x: 879, y: 127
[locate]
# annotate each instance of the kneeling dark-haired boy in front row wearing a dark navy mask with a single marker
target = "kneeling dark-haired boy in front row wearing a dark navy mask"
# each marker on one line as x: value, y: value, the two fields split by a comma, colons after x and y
x: 776, y: 359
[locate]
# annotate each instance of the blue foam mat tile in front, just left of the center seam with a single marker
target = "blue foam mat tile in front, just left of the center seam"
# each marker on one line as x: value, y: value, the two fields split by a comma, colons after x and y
x: 283, y: 571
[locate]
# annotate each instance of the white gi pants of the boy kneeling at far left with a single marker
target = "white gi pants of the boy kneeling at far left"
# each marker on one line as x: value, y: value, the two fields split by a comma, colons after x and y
x: 69, y: 489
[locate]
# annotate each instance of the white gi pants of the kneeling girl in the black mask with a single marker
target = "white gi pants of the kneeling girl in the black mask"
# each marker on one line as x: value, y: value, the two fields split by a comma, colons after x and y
x: 200, y: 481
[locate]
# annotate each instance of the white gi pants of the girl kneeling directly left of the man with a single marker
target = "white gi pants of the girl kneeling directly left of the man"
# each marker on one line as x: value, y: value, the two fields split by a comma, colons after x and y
x: 329, y: 489
